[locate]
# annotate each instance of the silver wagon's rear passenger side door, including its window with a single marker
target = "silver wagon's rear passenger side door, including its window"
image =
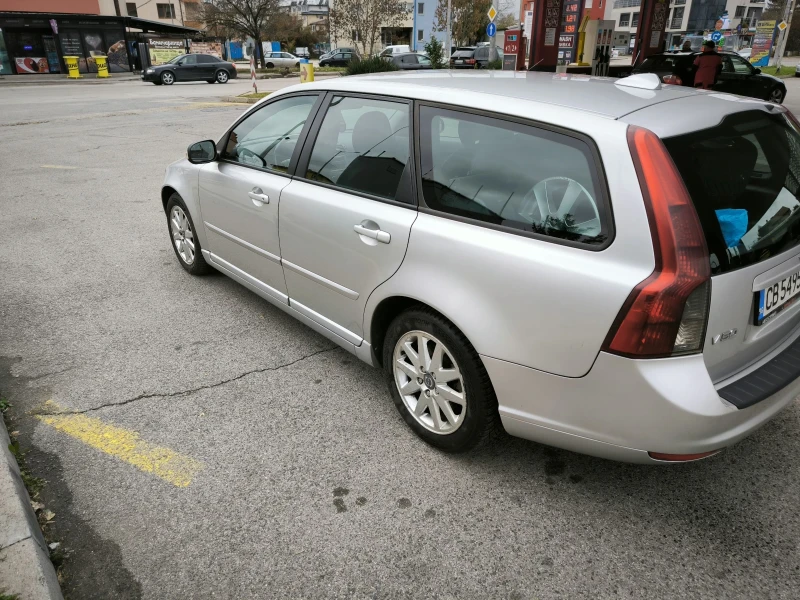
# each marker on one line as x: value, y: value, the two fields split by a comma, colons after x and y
x: 346, y: 216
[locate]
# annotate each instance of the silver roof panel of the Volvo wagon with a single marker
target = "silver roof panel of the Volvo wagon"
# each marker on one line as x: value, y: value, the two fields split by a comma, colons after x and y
x: 489, y: 90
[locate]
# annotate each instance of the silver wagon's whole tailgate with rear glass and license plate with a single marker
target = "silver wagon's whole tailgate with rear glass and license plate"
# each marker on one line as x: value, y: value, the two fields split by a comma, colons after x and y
x: 743, y: 175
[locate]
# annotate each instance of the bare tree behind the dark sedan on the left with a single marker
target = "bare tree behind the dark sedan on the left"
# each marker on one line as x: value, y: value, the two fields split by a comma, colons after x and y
x: 247, y: 18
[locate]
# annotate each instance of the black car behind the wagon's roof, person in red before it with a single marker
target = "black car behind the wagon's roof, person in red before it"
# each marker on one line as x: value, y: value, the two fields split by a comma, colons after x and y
x: 738, y: 75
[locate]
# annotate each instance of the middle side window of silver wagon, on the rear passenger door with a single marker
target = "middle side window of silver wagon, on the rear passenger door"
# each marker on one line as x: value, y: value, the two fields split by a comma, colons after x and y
x: 363, y: 145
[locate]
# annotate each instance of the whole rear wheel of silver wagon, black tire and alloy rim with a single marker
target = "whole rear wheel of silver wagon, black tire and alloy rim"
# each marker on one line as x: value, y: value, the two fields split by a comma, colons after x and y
x: 476, y: 420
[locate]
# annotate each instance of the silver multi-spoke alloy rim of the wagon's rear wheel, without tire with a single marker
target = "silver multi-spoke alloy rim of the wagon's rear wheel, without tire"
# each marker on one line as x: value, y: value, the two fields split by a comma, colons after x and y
x: 429, y: 382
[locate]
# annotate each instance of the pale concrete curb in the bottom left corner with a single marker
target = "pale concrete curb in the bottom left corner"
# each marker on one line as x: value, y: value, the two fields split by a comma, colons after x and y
x: 25, y: 567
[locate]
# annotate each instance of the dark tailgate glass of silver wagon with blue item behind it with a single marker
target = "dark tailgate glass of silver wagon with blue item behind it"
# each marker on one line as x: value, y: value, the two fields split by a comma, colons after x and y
x: 744, y: 179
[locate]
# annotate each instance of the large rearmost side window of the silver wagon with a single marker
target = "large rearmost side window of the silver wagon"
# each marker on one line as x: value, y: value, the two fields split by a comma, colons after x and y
x: 512, y: 175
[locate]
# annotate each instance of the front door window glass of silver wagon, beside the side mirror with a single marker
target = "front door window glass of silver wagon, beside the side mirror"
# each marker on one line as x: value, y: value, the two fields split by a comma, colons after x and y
x: 267, y: 138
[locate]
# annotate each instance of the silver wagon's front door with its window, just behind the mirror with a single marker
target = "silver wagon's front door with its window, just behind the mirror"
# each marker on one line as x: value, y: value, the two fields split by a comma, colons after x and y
x: 240, y: 193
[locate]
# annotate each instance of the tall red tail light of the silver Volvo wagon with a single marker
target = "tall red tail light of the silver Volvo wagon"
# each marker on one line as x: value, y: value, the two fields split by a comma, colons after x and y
x: 666, y: 314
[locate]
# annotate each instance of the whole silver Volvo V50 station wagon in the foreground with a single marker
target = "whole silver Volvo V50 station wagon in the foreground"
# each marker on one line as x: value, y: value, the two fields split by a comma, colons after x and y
x: 607, y: 267
